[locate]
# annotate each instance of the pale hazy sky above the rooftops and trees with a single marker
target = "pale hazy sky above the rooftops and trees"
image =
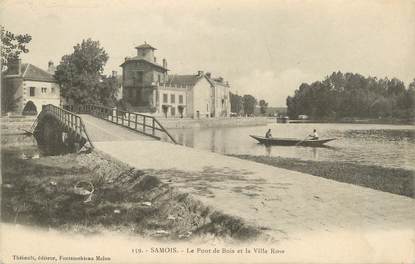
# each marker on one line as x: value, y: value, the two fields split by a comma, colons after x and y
x: 264, y: 48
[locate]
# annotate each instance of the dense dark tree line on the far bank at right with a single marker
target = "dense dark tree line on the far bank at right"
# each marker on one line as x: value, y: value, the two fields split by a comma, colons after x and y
x: 351, y: 95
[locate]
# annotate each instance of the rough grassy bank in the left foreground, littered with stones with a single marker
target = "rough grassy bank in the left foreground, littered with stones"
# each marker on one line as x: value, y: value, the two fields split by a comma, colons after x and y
x: 41, y: 192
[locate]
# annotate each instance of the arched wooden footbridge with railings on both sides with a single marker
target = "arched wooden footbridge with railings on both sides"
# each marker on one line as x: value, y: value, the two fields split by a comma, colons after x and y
x: 98, y: 123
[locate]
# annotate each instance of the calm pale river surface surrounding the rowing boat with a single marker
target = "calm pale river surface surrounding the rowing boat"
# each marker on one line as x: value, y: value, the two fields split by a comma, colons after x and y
x: 383, y: 145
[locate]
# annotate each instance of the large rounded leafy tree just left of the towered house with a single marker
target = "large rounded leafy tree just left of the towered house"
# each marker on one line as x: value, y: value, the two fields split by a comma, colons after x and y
x: 80, y: 75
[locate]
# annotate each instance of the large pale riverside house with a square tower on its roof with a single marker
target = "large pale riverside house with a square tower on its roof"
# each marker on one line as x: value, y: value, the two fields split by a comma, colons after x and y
x: 148, y: 87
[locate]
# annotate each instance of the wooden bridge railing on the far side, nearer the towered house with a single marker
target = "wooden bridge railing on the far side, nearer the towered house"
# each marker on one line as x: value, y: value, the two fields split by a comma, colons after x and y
x: 145, y: 124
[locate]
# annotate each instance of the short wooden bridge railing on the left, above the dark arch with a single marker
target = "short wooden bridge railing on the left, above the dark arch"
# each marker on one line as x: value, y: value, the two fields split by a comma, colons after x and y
x: 70, y: 120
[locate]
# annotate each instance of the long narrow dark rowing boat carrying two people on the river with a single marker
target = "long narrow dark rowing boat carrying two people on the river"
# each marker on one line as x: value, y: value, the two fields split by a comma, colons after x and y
x: 292, y: 141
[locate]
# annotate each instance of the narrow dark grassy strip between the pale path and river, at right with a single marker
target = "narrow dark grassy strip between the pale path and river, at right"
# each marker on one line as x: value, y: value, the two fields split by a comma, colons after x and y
x: 397, y: 181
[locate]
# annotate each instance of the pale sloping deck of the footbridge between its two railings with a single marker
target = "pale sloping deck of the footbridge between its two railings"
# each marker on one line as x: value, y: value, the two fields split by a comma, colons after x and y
x: 100, y: 130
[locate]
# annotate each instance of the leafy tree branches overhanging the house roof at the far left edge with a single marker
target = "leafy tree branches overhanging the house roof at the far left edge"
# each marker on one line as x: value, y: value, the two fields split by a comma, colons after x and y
x: 12, y: 46
